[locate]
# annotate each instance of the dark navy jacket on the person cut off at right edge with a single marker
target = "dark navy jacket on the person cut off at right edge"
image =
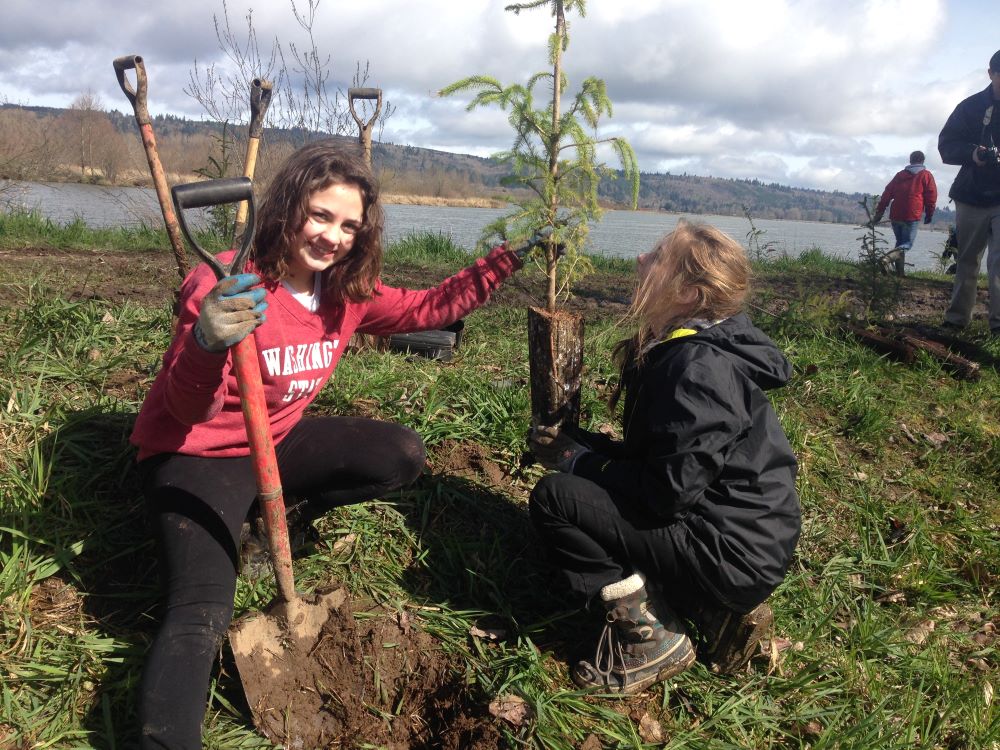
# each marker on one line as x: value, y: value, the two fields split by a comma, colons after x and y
x: 961, y: 134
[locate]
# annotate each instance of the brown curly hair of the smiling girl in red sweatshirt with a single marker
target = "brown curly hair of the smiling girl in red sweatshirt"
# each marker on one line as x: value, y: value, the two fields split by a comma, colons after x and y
x: 285, y: 207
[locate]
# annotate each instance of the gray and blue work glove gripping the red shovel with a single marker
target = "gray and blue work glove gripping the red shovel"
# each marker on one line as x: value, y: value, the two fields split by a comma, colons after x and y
x: 230, y: 312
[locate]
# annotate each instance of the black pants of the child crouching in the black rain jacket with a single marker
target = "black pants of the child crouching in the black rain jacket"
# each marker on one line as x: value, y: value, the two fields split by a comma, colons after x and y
x: 597, y: 539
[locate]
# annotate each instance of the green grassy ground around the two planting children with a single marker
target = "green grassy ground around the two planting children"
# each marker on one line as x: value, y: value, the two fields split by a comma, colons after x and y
x: 886, y: 628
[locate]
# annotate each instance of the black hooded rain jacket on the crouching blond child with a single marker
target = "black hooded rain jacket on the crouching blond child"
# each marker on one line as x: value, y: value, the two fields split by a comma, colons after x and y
x: 704, y: 452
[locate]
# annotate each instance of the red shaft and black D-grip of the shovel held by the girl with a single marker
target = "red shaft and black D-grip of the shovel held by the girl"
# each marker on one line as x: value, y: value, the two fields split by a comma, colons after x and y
x: 247, y: 369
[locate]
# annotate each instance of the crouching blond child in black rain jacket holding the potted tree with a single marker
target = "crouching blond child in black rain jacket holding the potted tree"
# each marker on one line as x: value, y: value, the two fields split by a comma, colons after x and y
x: 694, y: 514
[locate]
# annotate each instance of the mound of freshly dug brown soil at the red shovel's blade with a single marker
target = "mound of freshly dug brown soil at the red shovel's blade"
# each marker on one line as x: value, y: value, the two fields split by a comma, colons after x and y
x: 374, y: 680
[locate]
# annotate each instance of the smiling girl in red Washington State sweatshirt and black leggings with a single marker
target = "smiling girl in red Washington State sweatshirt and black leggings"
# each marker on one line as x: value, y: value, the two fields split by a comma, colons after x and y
x: 312, y: 281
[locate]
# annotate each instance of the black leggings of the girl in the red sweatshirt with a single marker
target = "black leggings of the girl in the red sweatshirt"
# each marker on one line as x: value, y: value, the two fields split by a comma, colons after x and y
x: 197, y: 507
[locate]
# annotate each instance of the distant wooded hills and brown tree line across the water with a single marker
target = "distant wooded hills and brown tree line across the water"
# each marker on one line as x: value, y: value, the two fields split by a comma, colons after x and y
x: 86, y: 143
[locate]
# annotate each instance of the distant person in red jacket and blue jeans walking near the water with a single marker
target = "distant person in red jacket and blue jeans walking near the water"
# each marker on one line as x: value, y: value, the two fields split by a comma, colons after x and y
x: 912, y: 193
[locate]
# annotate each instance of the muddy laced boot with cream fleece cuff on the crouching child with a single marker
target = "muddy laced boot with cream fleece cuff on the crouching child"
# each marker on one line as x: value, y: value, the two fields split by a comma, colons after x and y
x: 643, y: 642
